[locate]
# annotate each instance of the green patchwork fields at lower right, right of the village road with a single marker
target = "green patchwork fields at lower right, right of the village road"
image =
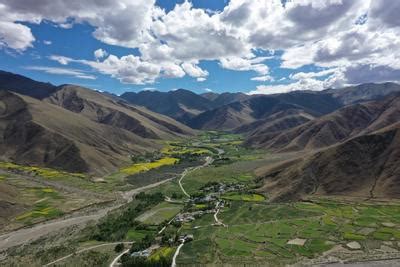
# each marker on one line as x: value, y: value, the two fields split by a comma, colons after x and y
x: 261, y: 232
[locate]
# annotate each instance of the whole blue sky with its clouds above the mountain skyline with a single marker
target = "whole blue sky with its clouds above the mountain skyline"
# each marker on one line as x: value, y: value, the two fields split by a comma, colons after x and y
x: 239, y: 45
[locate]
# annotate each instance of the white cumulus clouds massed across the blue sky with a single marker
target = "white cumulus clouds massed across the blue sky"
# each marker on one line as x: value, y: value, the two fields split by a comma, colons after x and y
x: 349, y: 41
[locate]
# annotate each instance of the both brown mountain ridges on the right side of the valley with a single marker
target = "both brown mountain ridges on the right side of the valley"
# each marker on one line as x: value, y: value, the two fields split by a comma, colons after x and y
x: 354, y: 151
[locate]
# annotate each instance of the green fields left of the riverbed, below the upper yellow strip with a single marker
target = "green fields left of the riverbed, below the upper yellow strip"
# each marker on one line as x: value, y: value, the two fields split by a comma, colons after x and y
x: 40, y: 199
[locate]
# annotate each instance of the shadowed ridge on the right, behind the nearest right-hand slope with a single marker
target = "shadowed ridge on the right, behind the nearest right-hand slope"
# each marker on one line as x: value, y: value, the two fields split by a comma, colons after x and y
x: 336, y: 127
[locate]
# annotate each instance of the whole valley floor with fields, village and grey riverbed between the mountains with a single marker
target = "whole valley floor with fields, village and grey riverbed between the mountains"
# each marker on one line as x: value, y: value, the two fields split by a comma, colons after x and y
x: 206, y: 204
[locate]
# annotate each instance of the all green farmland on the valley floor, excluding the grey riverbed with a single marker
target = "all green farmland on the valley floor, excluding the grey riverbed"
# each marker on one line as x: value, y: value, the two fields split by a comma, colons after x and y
x: 237, y: 227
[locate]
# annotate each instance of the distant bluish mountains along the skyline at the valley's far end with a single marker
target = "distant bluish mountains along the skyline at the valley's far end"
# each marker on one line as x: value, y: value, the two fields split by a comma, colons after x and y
x: 238, y: 112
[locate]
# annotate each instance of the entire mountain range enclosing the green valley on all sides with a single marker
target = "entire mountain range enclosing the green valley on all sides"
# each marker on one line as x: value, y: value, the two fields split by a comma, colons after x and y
x: 347, y: 139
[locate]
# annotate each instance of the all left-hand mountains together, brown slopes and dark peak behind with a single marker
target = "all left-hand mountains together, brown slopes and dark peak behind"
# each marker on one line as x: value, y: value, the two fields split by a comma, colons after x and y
x: 75, y: 128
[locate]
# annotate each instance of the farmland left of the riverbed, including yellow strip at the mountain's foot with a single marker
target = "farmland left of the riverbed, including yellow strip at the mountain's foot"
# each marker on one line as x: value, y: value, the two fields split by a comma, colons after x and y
x: 37, y: 194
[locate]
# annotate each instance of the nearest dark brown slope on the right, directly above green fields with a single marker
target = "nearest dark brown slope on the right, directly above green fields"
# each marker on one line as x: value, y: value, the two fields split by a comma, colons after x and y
x: 365, y: 166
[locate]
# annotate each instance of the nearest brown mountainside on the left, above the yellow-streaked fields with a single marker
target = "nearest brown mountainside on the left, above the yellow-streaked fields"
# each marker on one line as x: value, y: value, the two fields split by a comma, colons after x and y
x: 38, y: 133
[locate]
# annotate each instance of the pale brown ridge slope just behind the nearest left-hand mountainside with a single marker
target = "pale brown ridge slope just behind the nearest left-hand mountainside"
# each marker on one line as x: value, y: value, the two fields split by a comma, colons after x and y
x: 109, y: 110
